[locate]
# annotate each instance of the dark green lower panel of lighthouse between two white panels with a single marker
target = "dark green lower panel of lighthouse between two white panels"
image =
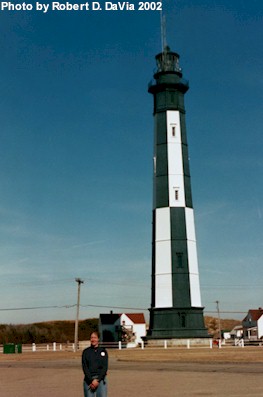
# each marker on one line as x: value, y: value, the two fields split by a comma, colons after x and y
x: 180, y: 267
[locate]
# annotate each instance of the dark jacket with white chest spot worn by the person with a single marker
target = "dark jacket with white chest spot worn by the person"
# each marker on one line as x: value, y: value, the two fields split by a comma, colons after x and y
x: 94, y: 363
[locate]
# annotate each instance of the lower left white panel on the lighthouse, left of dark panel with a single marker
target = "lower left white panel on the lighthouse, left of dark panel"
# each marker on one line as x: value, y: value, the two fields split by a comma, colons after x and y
x: 163, y: 260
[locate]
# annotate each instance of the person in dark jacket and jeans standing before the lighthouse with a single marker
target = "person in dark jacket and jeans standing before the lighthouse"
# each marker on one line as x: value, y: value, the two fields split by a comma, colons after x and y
x: 95, y: 367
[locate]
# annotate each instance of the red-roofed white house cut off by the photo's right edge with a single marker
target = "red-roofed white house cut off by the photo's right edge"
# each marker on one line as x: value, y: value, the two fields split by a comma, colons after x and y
x: 253, y: 324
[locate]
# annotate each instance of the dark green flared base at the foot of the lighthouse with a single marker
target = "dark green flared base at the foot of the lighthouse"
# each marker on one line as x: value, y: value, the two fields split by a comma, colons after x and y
x: 173, y: 323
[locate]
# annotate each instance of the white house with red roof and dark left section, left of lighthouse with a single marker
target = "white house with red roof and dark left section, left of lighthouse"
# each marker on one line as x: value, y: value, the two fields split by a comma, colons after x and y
x: 125, y: 327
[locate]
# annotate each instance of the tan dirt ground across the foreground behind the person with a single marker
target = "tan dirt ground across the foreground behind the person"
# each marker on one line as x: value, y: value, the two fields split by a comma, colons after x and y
x: 173, y: 372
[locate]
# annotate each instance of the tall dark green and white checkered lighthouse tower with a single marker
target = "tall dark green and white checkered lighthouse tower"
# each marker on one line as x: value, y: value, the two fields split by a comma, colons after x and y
x: 176, y: 309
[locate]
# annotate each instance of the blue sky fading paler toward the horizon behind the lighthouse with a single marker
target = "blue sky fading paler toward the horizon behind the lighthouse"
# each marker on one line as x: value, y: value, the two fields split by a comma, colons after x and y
x: 76, y: 155
